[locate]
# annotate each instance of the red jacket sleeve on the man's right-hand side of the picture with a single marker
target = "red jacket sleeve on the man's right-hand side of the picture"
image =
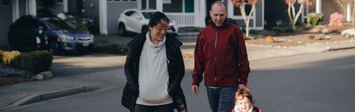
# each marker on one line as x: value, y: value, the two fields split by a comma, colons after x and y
x: 244, y: 69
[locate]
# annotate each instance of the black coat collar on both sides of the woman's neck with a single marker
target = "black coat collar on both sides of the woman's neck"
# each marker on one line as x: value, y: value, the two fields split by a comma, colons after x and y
x: 138, y: 41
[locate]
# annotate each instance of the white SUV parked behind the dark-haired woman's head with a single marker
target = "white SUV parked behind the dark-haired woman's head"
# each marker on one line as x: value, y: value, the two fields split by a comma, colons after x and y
x: 136, y: 21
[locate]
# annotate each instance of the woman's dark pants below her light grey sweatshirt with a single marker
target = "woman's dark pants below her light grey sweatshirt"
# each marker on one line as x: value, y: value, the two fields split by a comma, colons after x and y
x: 160, y: 108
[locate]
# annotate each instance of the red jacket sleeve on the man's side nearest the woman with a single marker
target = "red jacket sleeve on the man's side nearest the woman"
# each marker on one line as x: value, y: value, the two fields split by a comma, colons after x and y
x: 199, y: 63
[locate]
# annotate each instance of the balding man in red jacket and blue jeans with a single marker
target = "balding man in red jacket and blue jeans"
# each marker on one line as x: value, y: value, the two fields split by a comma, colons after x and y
x: 221, y: 55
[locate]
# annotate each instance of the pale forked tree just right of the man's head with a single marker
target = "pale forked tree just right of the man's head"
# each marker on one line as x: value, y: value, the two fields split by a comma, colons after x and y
x: 240, y: 4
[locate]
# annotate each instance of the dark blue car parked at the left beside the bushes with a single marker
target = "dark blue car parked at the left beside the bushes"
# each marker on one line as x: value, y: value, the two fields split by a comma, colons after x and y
x: 51, y: 33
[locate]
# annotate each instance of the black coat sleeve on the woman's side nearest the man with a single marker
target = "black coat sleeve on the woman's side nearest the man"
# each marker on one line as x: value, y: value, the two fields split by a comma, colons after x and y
x: 179, y: 74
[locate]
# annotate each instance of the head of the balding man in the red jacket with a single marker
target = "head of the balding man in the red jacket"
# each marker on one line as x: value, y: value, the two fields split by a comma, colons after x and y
x: 218, y: 13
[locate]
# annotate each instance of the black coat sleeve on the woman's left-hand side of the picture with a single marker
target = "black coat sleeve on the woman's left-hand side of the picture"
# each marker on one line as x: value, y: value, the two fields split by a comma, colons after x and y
x: 129, y: 72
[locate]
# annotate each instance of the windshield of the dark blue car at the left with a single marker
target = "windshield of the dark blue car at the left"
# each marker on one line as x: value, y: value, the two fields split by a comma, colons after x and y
x: 58, y: 24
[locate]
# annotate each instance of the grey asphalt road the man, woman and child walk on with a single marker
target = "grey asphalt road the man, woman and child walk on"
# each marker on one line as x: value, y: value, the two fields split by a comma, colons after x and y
x: 312, y: 82
